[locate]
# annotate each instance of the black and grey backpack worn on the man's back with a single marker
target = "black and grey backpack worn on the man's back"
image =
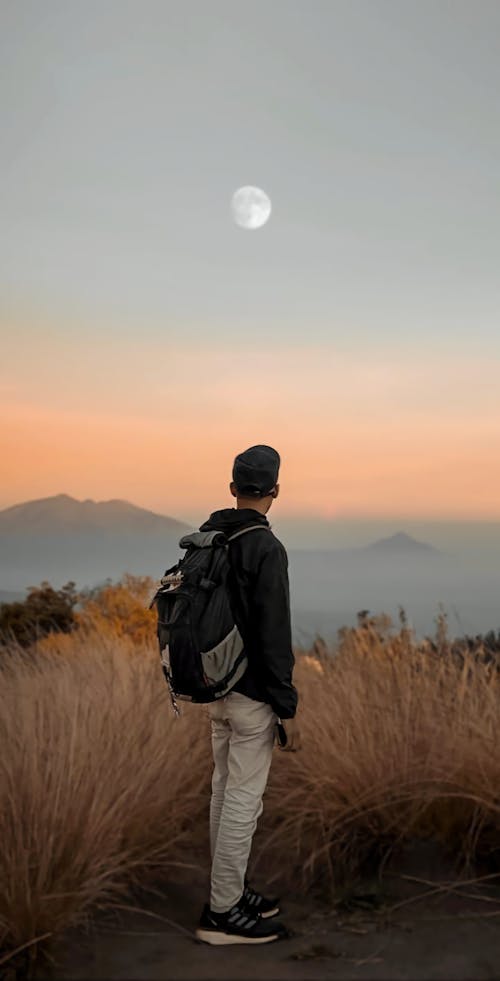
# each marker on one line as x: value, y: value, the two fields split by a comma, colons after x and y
x: 201, y: 648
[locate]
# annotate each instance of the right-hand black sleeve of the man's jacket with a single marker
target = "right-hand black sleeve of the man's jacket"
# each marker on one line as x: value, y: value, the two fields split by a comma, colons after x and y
x: 271, y: 630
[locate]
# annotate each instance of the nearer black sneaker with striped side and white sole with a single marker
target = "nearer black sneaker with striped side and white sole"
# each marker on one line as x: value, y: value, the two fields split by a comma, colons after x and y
x: 237, y: 926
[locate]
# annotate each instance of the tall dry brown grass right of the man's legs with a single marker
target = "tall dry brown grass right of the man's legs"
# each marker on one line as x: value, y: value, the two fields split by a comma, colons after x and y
x: 399, y: 742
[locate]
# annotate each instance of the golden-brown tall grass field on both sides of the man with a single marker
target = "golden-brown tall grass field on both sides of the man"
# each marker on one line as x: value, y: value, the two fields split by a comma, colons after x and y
x: 102, y: 787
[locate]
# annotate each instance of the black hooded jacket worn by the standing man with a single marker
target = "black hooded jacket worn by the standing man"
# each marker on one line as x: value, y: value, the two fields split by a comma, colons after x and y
x: 260, y: 600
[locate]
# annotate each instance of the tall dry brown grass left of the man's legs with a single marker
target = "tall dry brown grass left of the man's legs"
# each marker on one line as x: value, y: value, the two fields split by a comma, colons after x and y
x: 100, y: 784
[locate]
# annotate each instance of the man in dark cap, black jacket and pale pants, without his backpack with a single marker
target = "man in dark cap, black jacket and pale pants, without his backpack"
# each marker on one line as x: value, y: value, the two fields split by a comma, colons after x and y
x: 244, y: 721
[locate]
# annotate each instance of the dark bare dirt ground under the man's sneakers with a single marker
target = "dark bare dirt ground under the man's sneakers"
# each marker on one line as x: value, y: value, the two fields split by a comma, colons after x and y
x: 399, y: 928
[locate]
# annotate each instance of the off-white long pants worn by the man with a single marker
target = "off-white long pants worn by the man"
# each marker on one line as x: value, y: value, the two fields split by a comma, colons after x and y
x: 243, y: 733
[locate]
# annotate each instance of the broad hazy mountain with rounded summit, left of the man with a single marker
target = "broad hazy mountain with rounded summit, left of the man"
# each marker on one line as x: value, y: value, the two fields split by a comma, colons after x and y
x: 61, y: 538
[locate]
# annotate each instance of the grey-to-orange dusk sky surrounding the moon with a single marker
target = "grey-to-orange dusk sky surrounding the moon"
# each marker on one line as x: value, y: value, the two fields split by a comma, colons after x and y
x: 147, y: 339
